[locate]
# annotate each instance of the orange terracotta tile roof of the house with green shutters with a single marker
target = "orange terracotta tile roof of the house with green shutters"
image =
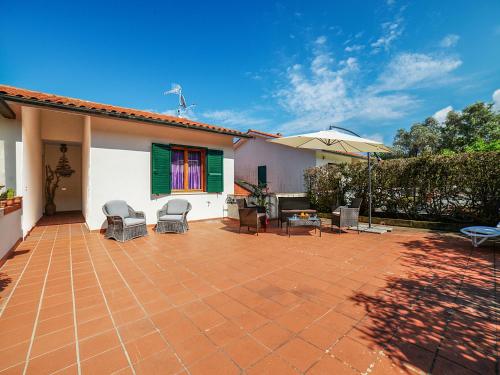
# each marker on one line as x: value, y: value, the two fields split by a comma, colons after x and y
x: 11, y: 93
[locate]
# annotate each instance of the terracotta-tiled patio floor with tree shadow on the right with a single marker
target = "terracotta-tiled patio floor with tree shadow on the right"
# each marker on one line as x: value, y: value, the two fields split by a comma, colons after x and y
x: 215, y: 302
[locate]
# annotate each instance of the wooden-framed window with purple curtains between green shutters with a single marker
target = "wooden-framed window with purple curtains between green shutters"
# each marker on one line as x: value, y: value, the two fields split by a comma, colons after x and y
x: 188, y: 169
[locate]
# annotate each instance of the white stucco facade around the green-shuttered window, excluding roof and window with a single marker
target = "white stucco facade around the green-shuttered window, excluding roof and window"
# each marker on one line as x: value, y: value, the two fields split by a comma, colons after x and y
x: 114, y: 163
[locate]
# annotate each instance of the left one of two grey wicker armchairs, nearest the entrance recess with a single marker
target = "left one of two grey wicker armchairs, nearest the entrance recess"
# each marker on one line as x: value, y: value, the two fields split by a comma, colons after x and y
x: 124, y: 223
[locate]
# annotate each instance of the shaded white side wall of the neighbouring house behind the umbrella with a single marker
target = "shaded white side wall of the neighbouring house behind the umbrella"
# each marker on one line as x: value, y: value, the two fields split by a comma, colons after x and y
x: 285, y: 165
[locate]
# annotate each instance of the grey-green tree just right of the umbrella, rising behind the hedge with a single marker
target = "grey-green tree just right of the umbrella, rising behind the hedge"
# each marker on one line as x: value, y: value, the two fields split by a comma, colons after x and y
x: 423, y: 138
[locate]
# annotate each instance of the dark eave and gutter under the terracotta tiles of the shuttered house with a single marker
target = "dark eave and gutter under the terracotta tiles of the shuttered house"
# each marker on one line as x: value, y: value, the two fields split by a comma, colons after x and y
x: 117, y: 115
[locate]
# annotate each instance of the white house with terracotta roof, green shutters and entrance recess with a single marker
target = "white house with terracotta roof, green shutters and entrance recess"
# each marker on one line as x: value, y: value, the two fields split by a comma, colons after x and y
x: 117, y: 153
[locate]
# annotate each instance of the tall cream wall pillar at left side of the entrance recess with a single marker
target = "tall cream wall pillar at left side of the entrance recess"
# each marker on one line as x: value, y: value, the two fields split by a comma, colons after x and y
x: 31, y: 168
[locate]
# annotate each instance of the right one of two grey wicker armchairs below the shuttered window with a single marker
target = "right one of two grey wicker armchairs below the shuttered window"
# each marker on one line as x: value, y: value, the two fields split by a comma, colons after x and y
x: 173, y: 216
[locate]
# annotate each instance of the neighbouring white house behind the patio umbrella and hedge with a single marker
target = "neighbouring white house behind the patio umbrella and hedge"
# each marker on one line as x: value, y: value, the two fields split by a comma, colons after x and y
x: 280, y: 167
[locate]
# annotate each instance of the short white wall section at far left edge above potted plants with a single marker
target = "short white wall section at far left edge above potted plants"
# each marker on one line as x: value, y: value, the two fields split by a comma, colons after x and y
x: 10, y: 142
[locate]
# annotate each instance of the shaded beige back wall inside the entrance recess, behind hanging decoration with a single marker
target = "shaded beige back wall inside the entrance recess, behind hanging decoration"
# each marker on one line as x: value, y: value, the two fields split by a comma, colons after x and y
x: 69, y: 192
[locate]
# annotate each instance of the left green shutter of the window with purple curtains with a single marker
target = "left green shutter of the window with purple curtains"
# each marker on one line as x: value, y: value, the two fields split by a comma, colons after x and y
x: 160, y: 169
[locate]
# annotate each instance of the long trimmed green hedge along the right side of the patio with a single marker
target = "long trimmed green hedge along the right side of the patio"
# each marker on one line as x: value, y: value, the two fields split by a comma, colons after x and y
x: 461, y: 187
